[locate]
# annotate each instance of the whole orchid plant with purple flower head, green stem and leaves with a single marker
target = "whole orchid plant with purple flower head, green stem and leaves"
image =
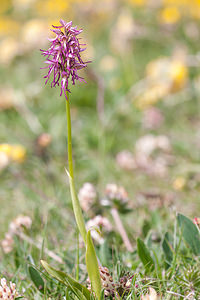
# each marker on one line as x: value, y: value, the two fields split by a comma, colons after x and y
x: 63, y: 59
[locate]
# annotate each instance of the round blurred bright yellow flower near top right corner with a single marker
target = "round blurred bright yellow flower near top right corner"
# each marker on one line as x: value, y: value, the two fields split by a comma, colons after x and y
x: 170, y: 15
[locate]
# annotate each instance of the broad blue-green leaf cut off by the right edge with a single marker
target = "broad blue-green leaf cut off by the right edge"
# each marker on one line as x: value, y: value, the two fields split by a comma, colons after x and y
x: 190, y: 233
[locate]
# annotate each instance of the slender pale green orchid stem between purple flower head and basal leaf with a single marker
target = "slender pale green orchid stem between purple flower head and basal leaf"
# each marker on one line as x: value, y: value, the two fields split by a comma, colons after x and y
x: 75, y: 202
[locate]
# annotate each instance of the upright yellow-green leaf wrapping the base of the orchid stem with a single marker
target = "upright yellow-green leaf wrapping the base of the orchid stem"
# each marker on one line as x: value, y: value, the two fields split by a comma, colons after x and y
x: 93, y: 266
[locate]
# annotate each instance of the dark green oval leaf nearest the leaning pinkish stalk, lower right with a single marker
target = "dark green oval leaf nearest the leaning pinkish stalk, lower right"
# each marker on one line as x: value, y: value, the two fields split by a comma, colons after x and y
x: 145, y: 256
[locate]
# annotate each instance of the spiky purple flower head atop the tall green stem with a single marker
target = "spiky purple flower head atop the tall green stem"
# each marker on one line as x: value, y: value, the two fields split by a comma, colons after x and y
x: 63, y: 56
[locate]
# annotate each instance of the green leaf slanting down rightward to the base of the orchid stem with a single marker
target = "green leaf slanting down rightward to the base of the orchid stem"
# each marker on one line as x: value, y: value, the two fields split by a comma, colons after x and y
x: 77, y: 288
